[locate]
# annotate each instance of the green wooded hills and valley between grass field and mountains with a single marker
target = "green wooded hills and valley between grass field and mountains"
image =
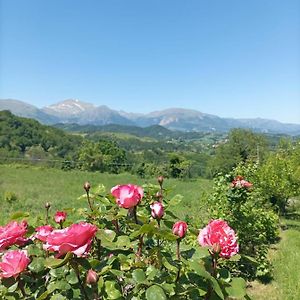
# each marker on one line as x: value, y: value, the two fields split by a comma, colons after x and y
x: 159, y: 151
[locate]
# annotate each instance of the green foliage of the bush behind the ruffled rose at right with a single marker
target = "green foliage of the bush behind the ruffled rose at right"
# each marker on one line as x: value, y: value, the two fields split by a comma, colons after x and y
x: 246, y: 210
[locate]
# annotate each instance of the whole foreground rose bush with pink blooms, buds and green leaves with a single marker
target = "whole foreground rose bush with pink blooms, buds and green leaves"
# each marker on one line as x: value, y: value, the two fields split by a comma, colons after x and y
x: 123, y: 251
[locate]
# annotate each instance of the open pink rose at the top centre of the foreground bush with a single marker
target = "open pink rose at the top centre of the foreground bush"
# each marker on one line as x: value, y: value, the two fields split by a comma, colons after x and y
x: 128, y: 195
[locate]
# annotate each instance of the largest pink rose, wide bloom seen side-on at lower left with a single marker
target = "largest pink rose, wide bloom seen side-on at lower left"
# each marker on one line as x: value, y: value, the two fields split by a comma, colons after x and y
x: 76, y: 238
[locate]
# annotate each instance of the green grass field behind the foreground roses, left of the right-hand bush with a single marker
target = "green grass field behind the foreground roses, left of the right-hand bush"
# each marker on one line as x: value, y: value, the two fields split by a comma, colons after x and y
x: 34, y: 186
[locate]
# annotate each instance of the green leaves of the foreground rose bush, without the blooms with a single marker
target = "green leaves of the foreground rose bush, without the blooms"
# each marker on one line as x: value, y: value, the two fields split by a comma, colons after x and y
x: 133, y: 258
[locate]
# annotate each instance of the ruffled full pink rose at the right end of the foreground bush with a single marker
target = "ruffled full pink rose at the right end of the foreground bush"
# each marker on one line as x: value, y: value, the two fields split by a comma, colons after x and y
x: 218, y: 232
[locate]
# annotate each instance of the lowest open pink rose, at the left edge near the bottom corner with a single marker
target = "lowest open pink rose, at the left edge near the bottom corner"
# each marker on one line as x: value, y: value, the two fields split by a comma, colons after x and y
x: 13, y: 263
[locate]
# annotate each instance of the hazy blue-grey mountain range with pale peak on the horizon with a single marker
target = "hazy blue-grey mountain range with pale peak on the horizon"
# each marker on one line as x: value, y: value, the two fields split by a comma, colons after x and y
x: 78, y: 112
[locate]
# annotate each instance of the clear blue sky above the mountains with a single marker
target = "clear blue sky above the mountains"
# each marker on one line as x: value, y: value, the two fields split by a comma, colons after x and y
x: 230, y: 58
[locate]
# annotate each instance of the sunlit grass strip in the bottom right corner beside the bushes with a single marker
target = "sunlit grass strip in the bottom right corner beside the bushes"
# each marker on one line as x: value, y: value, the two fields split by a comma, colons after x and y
x: 285, y: 258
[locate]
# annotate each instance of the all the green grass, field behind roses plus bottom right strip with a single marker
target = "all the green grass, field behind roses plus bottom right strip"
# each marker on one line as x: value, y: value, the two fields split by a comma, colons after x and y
x: 34, y: 186
